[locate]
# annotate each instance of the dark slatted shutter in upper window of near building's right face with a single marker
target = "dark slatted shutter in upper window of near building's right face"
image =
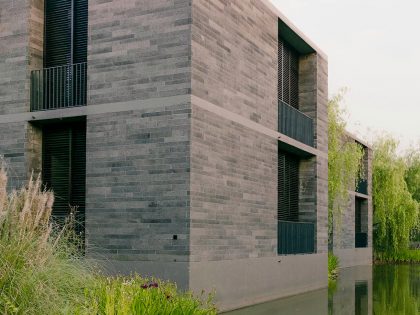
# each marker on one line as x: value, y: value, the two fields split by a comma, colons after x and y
x: 288, y: 74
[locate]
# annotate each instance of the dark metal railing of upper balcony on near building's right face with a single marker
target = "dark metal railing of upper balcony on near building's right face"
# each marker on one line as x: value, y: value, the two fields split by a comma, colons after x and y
x: 295, y: 124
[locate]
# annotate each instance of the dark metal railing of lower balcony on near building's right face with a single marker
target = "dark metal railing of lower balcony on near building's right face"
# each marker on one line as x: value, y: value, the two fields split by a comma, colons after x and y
x: 296, y: 238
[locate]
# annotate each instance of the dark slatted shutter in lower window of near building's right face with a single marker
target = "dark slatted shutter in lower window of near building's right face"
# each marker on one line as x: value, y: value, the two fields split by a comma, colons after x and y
x: 288, y: 187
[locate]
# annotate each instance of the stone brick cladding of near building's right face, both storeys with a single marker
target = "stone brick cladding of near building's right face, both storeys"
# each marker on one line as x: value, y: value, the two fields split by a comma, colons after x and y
x: 234, y: 169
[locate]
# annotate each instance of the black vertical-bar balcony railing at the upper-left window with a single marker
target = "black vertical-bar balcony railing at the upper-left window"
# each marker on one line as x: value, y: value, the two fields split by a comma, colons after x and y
x: 59, y: 87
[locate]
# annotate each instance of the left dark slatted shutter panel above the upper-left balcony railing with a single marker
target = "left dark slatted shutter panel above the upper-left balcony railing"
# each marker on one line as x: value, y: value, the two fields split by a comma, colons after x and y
x: 58, y: 31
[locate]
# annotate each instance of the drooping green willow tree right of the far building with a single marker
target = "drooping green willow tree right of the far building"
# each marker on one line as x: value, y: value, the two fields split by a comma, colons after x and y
x: 395, y: 210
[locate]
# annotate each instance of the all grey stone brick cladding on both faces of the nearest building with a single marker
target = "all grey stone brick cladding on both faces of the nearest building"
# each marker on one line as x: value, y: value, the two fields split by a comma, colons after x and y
x: 173, y: 181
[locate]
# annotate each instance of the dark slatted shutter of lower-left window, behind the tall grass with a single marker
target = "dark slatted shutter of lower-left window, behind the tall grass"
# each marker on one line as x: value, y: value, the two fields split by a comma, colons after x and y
x: 64, y: 169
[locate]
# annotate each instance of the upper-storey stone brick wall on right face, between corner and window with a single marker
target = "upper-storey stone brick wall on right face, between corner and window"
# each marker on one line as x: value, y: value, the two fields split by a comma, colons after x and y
x: 234, y: 57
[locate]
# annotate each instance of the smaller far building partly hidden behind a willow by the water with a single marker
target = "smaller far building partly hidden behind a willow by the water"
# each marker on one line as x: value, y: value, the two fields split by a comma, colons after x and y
x: 352, y: 234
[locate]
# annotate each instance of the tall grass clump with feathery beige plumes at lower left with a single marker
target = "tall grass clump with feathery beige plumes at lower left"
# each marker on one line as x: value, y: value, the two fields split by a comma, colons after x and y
x: 39, y: 272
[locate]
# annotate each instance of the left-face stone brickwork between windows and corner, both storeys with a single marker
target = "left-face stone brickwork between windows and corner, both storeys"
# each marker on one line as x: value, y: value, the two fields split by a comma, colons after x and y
x: 138, y: 162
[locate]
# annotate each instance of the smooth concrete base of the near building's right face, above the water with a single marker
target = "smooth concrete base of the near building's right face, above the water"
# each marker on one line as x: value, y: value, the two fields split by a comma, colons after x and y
x: 243, y: 282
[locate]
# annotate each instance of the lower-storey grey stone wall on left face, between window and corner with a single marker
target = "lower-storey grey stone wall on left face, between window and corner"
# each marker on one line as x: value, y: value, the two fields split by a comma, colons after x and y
x: 137, y: 199
